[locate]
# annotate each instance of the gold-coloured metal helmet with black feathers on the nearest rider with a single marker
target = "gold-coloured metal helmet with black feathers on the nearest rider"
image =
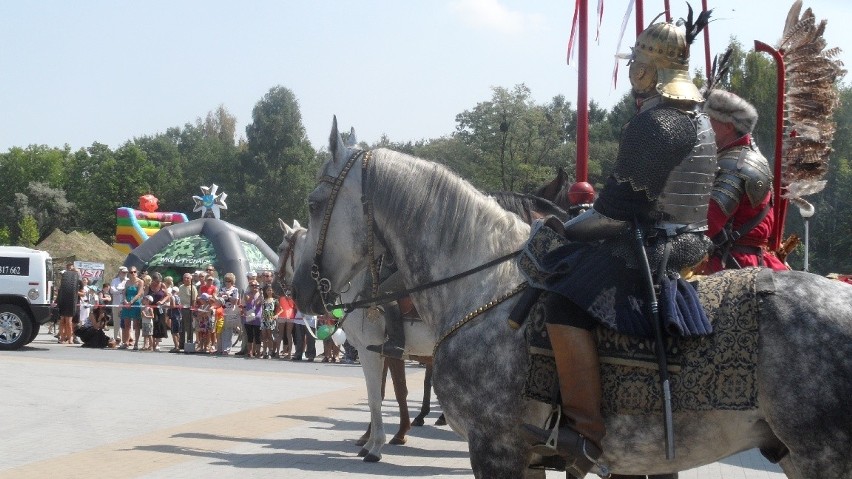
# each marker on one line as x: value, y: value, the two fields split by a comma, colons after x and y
x: 665, y: 46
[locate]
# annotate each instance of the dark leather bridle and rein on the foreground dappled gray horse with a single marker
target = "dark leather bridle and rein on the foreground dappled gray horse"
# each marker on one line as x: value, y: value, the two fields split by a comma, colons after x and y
x: 330, y: 298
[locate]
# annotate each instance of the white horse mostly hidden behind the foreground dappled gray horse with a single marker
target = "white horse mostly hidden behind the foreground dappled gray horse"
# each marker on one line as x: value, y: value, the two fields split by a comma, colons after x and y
x: 360, y: 332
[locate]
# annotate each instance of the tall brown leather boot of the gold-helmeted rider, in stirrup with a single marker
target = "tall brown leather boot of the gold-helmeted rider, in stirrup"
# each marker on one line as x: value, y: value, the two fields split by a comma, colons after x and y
x: 580, y: 385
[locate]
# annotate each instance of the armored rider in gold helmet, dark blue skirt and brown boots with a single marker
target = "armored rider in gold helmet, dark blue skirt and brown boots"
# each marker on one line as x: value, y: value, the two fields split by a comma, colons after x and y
x: 661, y: 184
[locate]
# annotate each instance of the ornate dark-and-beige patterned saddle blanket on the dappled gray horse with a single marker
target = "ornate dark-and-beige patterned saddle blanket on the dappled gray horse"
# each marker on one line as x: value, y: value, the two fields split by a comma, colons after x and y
x: 714, y: 372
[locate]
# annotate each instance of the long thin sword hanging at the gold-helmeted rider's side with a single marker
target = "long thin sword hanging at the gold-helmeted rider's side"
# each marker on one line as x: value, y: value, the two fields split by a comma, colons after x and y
x: 654, y: 313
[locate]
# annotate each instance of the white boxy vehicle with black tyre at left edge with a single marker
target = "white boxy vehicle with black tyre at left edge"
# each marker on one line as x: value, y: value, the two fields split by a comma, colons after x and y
x: 26, y: 289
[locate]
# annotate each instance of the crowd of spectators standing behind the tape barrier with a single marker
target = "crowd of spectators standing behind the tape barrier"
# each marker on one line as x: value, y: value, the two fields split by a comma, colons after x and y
x: 203, y: 314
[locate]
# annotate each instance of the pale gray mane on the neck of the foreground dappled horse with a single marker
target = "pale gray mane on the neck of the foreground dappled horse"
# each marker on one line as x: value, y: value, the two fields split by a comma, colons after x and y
x: 426, y: 195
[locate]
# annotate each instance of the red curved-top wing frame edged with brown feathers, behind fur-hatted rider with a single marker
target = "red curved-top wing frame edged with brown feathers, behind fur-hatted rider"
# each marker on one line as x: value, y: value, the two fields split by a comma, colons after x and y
x: 780, y: 206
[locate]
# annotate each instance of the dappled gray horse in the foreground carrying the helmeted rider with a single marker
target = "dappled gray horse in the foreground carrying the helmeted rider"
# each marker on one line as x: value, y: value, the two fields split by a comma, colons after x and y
x: 437, y: 225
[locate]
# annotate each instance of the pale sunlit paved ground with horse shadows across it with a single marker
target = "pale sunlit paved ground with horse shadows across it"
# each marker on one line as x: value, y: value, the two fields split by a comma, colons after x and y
x: 70, y: 412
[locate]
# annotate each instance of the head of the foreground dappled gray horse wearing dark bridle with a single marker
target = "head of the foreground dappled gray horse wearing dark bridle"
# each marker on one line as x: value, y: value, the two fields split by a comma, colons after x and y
x: 336, y: 245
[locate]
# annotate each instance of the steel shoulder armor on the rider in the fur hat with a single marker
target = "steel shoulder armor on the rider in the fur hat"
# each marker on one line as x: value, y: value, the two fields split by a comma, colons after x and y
x: 742, y: 171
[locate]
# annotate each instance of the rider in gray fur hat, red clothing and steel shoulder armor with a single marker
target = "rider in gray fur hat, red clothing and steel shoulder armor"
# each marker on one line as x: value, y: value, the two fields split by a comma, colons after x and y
x: 740, y: 217
